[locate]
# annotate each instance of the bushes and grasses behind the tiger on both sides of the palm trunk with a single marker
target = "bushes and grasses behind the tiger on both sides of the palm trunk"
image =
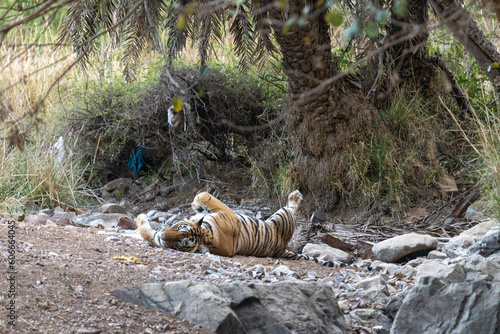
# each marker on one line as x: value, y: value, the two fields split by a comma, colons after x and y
x: 103, y: 118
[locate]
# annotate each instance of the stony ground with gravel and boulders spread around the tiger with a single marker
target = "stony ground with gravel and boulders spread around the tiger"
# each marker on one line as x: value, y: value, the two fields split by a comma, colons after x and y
x: 92, y: 273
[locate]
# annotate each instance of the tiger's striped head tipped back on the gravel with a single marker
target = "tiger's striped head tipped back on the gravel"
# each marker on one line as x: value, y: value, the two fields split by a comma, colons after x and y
x: 186, y: 236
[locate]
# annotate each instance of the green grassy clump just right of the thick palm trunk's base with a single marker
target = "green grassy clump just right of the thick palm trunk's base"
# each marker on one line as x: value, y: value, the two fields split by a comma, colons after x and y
x: 394, y: 163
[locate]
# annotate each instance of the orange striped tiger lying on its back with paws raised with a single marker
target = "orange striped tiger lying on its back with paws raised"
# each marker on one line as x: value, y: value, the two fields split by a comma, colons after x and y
x: 220, y: 231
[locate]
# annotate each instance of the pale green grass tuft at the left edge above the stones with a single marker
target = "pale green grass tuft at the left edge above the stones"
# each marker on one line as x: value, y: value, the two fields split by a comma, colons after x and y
x: 33, y: 179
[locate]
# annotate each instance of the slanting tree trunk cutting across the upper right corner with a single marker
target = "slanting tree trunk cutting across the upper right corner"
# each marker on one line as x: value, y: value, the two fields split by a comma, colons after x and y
x: 465, y: 30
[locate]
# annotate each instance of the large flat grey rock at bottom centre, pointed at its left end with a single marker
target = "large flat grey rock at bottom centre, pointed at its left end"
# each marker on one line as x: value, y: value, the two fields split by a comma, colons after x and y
x: 283, y: 307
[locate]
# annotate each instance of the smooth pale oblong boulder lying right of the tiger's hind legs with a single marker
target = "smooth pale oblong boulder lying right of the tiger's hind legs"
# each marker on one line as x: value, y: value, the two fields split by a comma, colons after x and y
x: 394, y: 249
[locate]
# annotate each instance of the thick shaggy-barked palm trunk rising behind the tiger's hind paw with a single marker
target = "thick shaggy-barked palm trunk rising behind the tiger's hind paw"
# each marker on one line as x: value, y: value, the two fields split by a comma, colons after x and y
x: 327, y: 124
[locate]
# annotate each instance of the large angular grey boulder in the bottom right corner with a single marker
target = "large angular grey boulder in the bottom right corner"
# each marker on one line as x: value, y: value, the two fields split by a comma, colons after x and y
x: 434, y: 307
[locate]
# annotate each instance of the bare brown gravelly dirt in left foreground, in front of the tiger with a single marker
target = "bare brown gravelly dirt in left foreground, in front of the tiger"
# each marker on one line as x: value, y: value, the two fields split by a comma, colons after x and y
x: 64, y: 277
